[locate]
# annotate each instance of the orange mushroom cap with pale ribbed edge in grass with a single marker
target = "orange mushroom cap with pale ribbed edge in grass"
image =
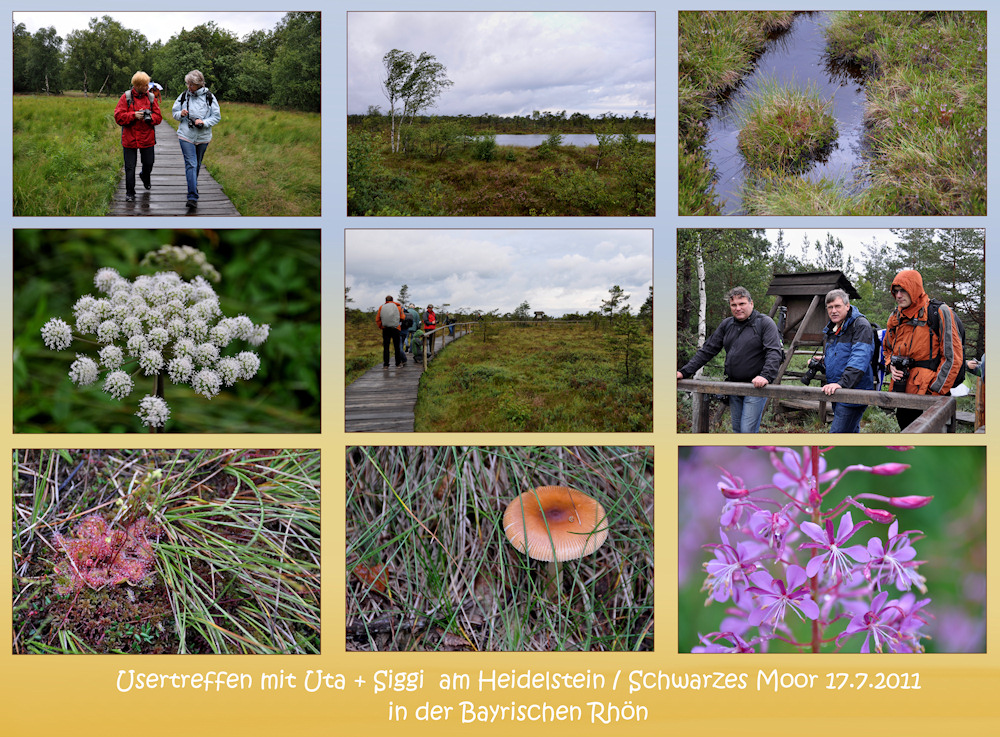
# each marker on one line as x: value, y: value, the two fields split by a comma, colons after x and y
x: 555, y: 523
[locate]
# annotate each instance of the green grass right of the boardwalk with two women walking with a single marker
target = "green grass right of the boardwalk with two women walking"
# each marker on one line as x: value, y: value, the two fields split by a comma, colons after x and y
x: 267, y: 161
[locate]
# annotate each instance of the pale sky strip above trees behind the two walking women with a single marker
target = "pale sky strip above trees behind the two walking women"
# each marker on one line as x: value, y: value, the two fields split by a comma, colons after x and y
x: 154, y: 26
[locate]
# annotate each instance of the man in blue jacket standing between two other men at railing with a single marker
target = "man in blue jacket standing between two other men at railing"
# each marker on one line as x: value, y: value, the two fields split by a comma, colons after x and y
x: 847, y: 348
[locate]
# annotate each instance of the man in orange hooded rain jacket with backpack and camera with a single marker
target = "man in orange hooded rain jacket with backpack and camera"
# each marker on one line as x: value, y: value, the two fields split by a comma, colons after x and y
x: 933, y: 346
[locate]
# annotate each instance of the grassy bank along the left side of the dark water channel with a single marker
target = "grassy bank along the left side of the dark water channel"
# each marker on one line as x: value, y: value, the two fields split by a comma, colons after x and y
x: 716, y: 50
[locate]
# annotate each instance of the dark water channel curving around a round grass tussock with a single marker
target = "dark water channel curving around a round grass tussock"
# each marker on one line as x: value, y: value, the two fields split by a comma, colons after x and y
x: 797, y: 58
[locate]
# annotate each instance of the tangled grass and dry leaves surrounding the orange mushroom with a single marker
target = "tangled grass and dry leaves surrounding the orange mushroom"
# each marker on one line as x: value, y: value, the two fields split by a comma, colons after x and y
x: 429, y: 566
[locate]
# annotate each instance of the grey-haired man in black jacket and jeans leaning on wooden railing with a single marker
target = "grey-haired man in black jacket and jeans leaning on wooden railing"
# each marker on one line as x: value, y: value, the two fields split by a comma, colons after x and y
x: 753, y: 353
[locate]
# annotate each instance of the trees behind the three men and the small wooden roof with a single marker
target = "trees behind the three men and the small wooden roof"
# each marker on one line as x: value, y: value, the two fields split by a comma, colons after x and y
x: 951, y: 261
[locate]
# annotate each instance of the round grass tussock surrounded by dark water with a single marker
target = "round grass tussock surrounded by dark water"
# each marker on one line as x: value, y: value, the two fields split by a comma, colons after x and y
x: 785, y: 128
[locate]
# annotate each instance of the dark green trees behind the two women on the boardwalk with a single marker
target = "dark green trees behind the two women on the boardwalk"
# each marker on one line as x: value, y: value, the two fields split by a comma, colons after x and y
x: 280, y: 67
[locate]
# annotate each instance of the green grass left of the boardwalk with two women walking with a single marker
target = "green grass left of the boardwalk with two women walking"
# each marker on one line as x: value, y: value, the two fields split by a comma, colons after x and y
x: 67, y: 155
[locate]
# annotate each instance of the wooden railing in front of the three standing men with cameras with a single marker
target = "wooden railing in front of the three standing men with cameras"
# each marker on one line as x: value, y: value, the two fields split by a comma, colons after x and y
x: 938, y: 413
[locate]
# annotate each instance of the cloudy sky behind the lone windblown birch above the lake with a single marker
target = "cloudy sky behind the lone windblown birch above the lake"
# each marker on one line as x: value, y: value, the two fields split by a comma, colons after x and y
x: 509, y: 63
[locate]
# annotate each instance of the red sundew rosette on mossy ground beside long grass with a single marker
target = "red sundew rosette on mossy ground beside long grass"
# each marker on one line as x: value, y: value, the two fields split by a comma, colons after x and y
x: 99, y: 556
